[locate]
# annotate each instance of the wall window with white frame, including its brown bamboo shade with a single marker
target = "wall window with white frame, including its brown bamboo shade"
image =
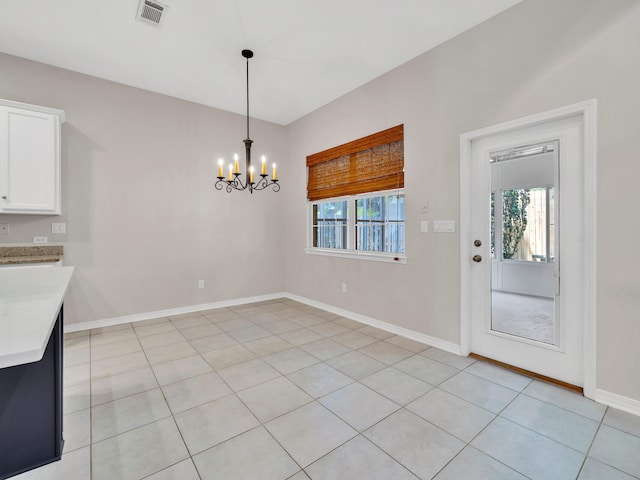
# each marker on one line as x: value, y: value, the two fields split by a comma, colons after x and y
x: 356, y: 197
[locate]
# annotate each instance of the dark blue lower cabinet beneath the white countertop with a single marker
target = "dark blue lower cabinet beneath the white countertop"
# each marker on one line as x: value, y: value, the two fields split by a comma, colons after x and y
x: 31, y: 410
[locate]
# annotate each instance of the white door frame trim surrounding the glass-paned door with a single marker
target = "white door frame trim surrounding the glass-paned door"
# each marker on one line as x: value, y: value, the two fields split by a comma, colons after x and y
x: 586, y: 113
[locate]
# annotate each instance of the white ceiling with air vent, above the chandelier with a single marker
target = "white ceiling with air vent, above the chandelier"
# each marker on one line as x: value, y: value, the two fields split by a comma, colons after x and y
x: 307, y: 53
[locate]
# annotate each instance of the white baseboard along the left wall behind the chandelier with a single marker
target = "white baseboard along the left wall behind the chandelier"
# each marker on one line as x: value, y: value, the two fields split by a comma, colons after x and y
x: 107, y: 322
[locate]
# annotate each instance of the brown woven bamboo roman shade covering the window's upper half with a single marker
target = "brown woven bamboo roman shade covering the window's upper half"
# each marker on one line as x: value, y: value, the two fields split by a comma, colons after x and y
x: 369, y: 164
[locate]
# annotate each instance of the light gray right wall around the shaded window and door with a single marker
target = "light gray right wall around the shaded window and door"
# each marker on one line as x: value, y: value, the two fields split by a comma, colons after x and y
x: 536, y: 56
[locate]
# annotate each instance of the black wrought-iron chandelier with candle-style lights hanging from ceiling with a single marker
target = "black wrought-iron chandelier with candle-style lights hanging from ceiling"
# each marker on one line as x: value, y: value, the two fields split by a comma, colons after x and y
x: 253, y: 181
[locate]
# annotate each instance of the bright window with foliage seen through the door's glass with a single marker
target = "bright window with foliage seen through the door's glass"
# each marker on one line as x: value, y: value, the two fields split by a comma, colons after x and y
x: 527, y: 224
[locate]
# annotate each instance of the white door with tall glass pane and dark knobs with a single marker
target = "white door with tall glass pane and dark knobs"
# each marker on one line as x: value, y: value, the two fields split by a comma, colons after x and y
x: 525, y: 297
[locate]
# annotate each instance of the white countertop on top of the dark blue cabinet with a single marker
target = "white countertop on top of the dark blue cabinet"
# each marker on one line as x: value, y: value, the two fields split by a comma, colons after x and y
x: 29, y: 303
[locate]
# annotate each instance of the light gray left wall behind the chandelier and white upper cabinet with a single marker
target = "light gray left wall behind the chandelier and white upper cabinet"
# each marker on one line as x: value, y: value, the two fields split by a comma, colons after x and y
x: 144, y: 222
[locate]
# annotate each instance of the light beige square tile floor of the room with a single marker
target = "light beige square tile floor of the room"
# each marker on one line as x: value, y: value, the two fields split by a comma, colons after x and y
x: 280, y: 390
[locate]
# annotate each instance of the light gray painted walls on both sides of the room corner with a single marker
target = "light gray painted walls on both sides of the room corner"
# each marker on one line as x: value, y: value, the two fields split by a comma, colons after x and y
x: 144, y: 223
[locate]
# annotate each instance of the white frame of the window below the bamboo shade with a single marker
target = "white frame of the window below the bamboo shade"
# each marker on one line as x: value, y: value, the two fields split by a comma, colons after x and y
x: 351, y: 250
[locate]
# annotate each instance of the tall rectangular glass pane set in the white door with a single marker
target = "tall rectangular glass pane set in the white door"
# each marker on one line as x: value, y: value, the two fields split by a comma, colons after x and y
x: 523, y: 242
